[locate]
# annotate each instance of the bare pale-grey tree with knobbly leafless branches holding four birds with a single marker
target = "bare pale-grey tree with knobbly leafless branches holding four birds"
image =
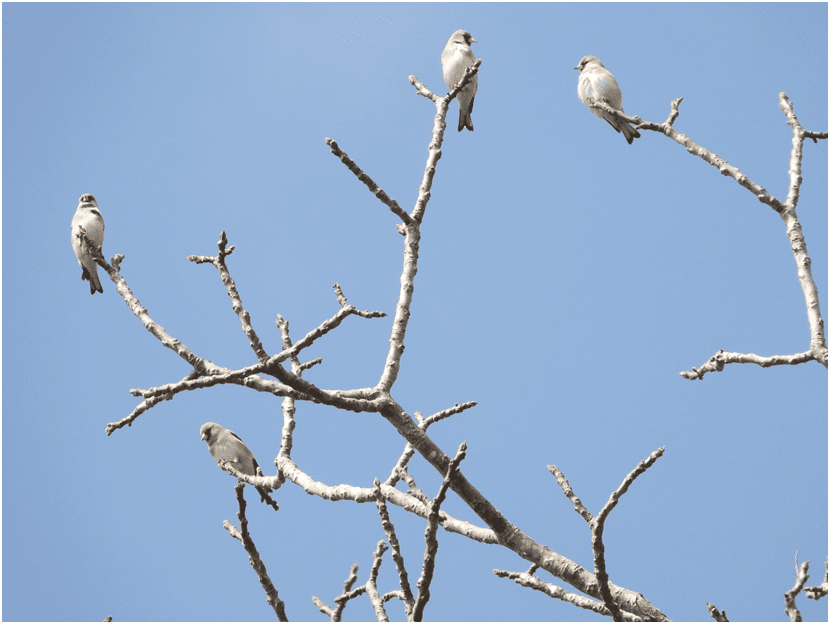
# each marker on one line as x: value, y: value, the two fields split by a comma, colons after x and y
x: 270, y: 374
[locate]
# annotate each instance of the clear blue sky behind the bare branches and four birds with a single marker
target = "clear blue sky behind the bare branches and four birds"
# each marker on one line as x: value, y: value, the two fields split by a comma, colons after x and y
x: 565, y: 278
